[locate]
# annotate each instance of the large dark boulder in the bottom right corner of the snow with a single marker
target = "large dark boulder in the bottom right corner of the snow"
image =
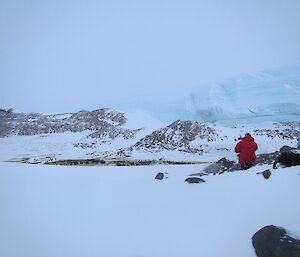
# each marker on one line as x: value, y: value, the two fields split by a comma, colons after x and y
x: 272, y: 241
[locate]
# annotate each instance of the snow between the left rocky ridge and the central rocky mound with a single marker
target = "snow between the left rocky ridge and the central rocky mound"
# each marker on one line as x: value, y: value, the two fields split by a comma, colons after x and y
x: 61, y: 145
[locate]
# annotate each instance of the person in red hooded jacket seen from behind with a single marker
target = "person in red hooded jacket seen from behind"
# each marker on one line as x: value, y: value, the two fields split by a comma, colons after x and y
x: 246, y: 151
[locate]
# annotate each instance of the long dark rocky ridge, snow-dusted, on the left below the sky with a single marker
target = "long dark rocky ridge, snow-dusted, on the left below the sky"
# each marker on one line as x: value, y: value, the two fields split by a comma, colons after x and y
x: 101, y: 123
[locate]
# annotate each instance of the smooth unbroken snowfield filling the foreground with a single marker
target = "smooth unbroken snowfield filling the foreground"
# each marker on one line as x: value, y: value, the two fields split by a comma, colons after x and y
x: 67, y: 211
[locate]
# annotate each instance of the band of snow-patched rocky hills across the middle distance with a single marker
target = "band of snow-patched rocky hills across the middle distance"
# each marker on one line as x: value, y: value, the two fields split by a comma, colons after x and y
x: 106, y: 133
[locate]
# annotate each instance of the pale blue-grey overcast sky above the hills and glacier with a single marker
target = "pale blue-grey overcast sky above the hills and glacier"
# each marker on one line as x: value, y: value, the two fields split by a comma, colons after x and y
x: 64, y: 55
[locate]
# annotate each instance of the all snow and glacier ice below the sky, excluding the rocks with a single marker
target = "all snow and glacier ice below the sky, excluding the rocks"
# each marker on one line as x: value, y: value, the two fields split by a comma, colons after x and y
x: 67, y: 211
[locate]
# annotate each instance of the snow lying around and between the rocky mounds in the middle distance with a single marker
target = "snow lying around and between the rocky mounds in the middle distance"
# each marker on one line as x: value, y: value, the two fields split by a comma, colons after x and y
x: 61, y: 145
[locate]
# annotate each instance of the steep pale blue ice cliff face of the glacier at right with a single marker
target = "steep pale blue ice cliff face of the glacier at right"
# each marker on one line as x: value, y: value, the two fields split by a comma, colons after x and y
x: 268, y: 95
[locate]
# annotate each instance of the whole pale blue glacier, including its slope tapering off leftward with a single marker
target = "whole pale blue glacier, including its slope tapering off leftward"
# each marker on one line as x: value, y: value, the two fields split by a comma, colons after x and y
x: 269, y: 95
